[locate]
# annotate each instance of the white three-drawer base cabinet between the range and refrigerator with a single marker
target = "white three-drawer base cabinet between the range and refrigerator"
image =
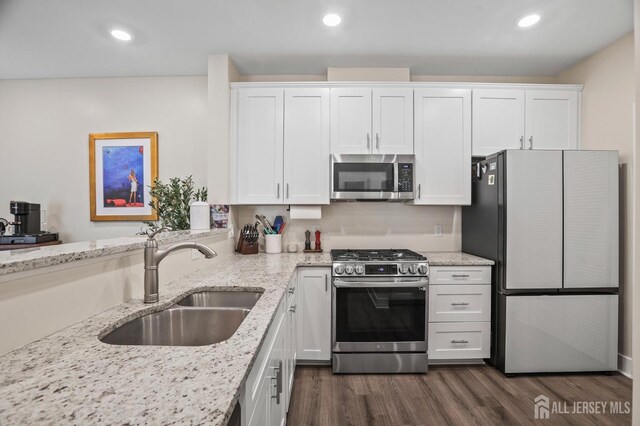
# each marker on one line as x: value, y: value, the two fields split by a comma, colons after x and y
x: 459, y: 313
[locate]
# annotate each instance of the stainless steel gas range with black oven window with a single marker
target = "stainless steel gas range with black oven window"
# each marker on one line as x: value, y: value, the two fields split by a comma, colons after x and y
x: 379, y: 311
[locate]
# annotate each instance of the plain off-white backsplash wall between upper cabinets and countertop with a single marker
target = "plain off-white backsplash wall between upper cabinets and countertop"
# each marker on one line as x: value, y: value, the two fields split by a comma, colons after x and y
x: 370, y: 225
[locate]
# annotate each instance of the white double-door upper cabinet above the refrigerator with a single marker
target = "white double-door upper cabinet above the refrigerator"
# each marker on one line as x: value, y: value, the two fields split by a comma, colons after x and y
x: 524, y: 119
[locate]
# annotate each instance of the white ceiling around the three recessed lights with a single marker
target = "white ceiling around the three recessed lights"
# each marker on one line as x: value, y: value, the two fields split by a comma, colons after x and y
x: 70, y: 38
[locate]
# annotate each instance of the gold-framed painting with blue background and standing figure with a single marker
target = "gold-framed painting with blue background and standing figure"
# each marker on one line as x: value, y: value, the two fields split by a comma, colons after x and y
x: 122, y: 166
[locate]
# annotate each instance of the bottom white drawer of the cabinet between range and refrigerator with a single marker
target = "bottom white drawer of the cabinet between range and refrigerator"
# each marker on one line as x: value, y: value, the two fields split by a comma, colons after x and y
x: 459, y: 340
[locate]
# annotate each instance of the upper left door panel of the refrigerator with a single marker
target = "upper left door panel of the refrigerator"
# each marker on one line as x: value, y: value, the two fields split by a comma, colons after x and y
x: 534, y: 219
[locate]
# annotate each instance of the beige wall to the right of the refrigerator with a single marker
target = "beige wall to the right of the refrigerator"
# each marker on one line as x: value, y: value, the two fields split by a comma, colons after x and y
x: 607, y: 123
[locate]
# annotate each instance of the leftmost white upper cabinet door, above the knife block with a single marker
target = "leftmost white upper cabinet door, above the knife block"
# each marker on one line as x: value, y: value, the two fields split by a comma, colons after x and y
x: 260, y: 146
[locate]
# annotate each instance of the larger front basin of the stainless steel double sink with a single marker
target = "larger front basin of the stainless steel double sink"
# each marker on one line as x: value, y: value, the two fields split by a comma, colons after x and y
x: 179, y: 327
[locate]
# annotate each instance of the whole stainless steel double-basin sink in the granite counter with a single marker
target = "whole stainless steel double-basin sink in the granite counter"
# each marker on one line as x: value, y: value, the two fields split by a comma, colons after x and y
x: 199, y: 319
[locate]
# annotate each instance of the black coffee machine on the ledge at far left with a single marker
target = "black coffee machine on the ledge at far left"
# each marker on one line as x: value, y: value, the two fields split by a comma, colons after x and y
x: 26, y: 225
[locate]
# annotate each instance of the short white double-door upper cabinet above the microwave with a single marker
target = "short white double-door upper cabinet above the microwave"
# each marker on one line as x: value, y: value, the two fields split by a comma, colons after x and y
x: 366, y: 121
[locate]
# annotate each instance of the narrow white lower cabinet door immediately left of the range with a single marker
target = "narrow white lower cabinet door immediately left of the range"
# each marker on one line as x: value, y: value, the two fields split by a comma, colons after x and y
x: 314, y: 326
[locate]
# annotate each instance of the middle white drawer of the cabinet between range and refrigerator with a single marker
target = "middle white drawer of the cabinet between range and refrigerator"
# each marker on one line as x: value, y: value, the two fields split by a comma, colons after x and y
x: 459, y: 303
